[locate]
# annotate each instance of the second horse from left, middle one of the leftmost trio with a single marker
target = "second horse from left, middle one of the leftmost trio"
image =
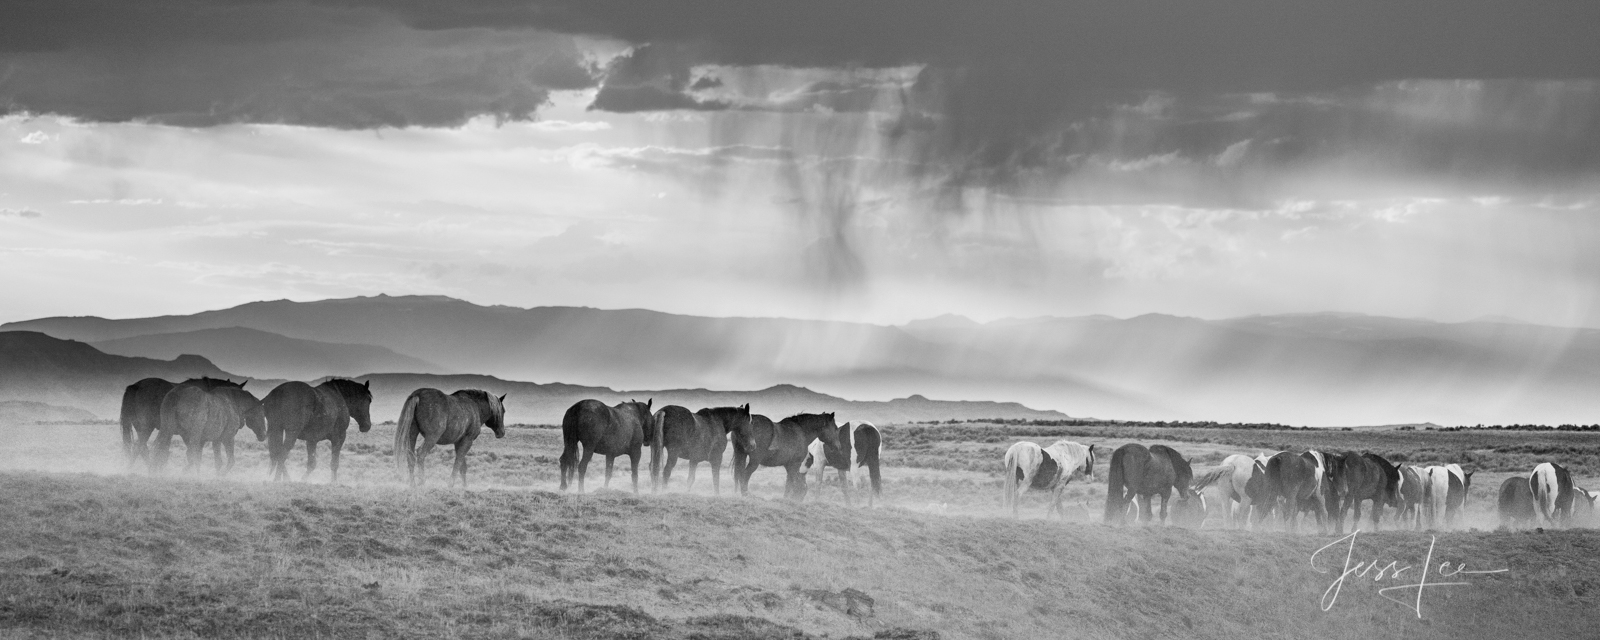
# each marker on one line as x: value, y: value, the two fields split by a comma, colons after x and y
x: 206, y: 418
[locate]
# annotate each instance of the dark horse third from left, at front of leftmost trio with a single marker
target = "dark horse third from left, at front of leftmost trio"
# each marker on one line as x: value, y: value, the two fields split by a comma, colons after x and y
x: 300, y: 412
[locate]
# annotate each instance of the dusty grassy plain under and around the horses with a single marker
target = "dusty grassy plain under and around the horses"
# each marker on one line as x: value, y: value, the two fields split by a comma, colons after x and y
x: 97, y: 553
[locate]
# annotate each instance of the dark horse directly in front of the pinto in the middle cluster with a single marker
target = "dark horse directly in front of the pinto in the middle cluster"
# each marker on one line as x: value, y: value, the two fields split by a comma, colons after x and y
x: 762, y: 444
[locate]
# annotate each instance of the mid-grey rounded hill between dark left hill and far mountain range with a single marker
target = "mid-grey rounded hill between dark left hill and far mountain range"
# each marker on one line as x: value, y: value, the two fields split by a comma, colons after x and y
x: 263, y: 354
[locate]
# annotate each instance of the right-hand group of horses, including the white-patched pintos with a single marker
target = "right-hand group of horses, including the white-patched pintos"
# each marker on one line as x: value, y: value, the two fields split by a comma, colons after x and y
x: 1249, y: 490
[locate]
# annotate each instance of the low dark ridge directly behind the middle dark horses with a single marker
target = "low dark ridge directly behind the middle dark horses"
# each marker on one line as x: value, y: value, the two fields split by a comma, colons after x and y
x: 545, y: 404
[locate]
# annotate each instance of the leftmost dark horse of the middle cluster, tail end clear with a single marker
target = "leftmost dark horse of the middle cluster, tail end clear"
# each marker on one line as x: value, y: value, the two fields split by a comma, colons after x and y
x: 609, y: 431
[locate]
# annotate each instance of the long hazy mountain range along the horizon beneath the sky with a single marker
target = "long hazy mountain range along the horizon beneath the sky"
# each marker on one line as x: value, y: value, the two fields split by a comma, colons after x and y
x: 1314, y: 369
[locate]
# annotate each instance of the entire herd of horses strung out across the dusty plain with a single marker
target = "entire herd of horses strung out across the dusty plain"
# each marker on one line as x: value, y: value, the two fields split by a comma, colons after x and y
x: 1239, y: 492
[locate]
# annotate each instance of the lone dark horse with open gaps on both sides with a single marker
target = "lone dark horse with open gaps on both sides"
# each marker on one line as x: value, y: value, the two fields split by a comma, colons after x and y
x: 444, y: 420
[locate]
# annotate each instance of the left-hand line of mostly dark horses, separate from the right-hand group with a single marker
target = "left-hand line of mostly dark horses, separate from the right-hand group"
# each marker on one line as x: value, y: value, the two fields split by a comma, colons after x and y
x: 209, y: 412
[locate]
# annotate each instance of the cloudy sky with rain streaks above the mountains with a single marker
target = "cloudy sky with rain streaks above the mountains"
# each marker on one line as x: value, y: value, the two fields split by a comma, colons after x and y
x: 855, y: 161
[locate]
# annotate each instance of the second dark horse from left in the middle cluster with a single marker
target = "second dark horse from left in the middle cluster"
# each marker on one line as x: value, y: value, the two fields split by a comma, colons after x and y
x: 697, y: 438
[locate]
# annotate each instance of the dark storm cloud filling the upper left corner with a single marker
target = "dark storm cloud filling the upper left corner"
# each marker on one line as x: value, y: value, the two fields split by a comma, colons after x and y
x: 199, y: 65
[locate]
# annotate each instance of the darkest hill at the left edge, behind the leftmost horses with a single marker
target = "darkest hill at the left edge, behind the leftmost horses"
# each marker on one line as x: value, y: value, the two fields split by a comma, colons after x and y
x: 36, y: 367
